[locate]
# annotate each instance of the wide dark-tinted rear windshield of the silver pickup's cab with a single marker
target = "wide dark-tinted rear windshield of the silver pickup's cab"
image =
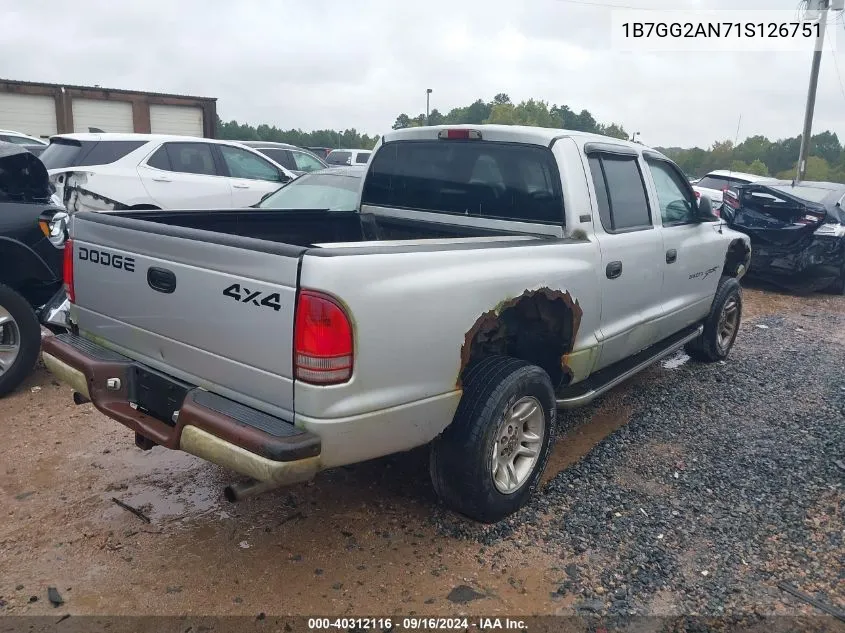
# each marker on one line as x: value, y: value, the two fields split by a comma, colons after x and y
x: 475, y: 178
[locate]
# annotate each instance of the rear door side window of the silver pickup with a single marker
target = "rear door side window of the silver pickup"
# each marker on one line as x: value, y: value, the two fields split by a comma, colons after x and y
x: 624, y: 193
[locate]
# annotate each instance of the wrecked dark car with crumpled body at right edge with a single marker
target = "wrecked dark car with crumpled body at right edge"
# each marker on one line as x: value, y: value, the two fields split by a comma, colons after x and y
x: 797, y: 232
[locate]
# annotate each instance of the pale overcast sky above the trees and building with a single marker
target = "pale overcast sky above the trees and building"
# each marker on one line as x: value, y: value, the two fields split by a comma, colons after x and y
x: 315, y: 64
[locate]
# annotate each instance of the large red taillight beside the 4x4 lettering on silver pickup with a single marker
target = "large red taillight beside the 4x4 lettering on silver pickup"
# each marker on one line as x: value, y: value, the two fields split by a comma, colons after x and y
x: 322, y: 340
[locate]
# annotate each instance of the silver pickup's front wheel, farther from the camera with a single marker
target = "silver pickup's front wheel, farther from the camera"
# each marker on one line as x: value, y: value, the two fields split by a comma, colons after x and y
x: 721, y: 325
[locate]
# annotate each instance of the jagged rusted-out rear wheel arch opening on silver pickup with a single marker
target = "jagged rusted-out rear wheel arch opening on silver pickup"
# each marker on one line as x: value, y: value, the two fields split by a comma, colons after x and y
x: 538, y: 326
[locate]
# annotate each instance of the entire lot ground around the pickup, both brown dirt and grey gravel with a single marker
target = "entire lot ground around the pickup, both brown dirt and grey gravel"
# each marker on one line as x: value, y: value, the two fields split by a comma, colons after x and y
x: 693, y: 489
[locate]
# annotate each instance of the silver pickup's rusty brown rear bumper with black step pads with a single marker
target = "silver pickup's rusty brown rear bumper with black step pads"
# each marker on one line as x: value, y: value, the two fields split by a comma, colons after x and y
x: 204, y: 424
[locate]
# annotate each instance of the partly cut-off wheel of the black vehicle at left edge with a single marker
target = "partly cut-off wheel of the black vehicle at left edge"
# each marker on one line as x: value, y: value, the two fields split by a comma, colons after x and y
x: 20, y: 339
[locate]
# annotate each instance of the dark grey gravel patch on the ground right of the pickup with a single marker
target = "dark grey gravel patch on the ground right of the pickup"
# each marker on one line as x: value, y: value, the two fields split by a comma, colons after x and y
x: 723, y: 483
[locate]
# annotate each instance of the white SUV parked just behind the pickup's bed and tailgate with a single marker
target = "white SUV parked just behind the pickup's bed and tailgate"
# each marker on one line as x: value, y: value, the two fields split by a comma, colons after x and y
x: 102, y: 172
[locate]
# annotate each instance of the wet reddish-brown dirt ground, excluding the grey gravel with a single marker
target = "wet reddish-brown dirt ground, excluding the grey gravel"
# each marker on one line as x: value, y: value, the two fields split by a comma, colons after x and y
x: 357, y: 540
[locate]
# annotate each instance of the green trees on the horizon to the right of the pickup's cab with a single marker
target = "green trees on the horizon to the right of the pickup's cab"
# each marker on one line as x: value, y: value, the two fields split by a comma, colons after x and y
x: 758, y: 155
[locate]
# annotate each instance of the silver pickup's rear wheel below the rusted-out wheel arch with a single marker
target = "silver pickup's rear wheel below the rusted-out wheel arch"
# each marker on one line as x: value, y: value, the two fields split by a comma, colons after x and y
x: 488, y: 462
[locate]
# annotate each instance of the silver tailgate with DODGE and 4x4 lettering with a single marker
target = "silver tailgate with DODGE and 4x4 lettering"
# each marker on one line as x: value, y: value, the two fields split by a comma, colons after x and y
x: 212, y: 309
